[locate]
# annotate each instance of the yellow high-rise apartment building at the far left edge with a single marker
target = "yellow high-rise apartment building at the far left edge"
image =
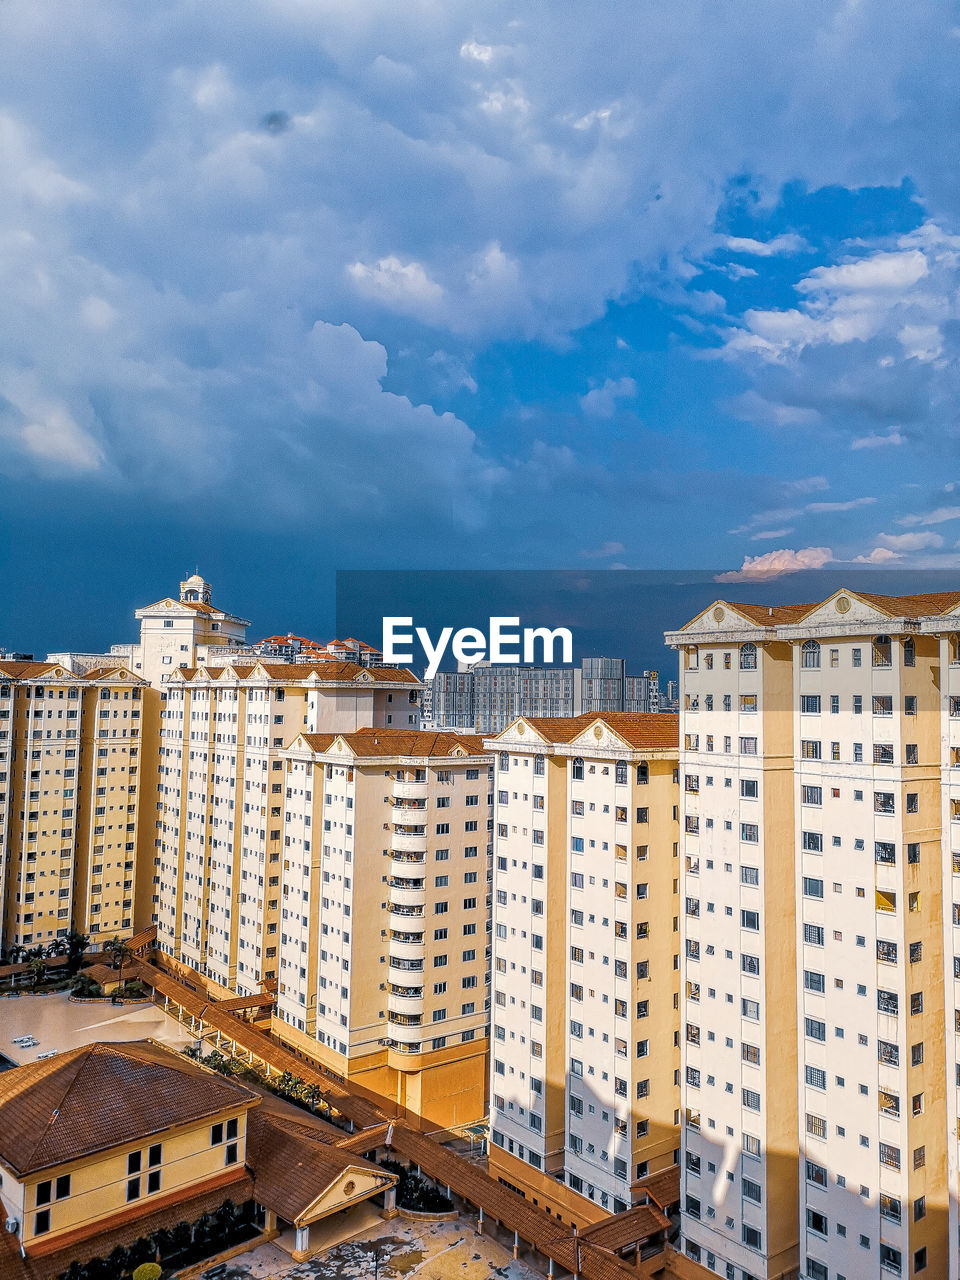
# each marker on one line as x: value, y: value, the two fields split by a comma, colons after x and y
x: 71, y: 793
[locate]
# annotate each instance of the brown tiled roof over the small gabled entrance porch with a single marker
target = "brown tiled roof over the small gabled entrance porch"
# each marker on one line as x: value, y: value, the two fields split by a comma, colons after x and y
x: 294, y: 1164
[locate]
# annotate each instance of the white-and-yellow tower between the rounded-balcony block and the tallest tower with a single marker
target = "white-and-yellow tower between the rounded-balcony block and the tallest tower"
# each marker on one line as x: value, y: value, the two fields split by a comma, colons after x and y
x: 586, y: 1057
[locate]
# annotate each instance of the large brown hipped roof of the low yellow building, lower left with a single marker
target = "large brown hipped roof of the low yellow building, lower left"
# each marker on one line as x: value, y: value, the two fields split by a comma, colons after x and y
x: 102, y: 1096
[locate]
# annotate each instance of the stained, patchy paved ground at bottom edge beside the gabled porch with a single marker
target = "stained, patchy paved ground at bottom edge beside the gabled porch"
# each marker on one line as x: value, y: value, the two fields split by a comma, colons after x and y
x: 395, y: 1250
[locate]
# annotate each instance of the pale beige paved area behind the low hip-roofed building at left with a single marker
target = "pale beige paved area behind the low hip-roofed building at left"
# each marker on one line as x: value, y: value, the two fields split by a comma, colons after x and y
x: 58, y: 1023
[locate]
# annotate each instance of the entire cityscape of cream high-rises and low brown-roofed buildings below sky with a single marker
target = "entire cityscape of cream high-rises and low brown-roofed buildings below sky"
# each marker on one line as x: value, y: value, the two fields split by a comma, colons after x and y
x: 671, y: 991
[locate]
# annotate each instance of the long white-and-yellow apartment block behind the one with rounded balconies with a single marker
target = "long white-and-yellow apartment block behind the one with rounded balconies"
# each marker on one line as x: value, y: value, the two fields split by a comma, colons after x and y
x: 218, y: 839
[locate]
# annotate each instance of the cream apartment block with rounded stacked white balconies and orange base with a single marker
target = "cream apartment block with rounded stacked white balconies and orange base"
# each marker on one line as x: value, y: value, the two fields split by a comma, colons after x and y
x: 385, y: 915
